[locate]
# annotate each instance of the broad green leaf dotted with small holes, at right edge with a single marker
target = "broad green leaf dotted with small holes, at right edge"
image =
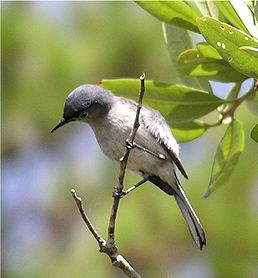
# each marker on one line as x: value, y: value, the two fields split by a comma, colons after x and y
x: 228, y: 42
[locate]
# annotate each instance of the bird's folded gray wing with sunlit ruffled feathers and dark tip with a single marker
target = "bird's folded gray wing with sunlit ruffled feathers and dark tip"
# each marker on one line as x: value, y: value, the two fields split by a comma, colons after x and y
x: 154, y: 122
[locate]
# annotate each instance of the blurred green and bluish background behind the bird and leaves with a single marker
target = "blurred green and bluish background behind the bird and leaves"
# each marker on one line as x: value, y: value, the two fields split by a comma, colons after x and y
x: 48, y: 49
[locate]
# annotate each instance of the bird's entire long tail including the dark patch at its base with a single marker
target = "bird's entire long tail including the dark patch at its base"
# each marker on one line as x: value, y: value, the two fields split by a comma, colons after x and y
x: 190, y: 217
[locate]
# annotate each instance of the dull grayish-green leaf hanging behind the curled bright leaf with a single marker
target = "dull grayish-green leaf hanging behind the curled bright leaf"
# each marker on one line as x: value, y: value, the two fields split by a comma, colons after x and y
x: 178, y: 40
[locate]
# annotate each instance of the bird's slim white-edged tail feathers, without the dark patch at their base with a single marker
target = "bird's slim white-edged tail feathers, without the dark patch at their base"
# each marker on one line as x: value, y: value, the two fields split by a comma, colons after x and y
x: 191, y: 219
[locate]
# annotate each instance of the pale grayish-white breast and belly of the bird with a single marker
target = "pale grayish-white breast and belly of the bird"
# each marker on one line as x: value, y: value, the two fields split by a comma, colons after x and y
x: 112, y: 133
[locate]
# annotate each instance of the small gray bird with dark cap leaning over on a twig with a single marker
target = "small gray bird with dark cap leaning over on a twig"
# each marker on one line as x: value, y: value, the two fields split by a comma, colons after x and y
x: 112, y: 119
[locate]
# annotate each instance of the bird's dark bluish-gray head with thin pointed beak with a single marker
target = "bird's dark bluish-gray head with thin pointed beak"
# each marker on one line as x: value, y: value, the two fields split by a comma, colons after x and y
x: 86, y: 103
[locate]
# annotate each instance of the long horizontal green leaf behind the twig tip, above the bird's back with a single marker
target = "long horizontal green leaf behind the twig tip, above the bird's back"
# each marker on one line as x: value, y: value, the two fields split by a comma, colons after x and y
x: 177, y: 103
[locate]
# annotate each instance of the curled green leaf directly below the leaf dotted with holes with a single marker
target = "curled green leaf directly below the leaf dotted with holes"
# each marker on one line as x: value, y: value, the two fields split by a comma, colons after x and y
x: 190, y: 63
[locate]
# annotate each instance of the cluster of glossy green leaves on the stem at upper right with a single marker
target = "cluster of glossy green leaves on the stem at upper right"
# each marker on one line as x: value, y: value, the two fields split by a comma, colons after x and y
x: 227, y: 54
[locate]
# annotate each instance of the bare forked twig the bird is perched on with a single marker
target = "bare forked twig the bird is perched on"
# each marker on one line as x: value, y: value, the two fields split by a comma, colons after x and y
x: 109, y: 246
